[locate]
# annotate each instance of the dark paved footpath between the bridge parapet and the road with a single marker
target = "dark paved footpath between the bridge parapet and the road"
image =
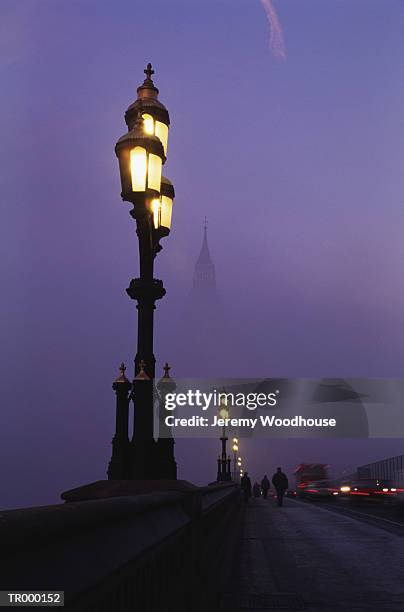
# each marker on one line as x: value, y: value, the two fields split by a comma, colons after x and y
x: 303, y: 557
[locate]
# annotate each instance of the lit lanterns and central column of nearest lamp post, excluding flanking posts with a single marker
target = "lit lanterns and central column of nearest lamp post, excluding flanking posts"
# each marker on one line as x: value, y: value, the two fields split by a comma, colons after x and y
x: 141, y: 153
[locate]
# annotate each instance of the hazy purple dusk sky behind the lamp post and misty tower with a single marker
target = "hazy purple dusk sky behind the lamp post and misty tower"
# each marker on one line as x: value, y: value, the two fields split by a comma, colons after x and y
x: 296, y: 161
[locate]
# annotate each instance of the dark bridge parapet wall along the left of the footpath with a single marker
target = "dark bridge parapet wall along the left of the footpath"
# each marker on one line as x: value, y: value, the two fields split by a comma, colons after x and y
x: 171, y: 550
